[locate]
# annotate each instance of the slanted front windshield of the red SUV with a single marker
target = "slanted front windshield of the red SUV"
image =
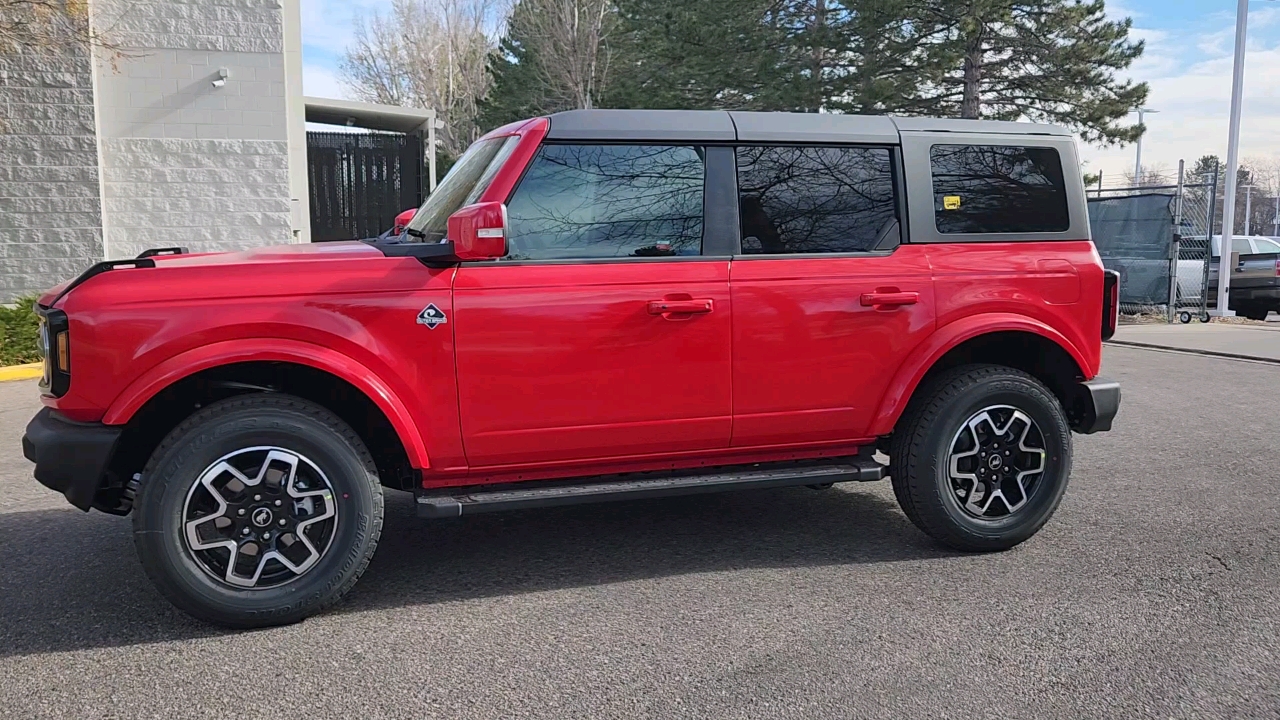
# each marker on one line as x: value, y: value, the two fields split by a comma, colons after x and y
x: 469, y: 177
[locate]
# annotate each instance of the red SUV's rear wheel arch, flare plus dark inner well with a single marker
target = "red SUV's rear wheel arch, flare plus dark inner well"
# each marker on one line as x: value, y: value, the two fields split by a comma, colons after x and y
x: 1005, y: 340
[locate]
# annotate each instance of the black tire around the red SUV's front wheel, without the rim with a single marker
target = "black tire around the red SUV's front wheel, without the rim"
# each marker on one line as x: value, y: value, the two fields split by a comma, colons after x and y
x: 246, y: 422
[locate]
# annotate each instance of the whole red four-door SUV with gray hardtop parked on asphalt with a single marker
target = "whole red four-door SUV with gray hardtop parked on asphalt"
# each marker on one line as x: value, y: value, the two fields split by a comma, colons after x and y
x: 597, y: 306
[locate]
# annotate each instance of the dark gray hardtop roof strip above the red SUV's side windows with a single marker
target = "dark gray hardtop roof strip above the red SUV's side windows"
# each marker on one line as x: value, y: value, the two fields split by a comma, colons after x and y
x: 721, y: 126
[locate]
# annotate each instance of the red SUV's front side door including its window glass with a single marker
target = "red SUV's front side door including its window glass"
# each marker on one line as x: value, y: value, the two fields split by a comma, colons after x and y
x: 605, y: 334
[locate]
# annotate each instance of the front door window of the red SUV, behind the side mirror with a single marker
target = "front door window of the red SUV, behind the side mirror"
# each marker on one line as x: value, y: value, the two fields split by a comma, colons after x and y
x: 609, y: 202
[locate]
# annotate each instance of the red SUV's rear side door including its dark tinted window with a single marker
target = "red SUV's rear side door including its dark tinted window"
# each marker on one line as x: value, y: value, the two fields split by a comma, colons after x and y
x: 828, y: 302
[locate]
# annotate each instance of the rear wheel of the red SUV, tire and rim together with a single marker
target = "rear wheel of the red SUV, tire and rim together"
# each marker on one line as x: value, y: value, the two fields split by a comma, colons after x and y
x: 981, y: 459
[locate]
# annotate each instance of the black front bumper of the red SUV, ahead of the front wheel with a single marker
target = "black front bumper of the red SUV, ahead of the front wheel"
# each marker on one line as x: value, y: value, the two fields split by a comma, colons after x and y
x: 71, y: 458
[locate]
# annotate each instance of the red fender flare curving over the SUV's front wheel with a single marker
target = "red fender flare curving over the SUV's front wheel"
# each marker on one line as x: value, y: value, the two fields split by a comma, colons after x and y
x: 272, y: 350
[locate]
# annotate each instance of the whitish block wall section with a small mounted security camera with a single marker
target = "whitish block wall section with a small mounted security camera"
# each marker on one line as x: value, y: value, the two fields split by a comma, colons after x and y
x: 186, y: 162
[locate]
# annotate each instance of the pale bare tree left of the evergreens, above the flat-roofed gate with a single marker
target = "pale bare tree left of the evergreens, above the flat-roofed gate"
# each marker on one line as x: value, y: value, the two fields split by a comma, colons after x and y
x: 427, y: 54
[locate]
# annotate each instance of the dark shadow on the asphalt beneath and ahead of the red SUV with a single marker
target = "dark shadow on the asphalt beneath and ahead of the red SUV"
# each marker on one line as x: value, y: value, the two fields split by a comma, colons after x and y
x: 71, y: 581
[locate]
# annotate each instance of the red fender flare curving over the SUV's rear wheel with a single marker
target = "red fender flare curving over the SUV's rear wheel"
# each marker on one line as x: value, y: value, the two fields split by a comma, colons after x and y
x: 943, y: 341
